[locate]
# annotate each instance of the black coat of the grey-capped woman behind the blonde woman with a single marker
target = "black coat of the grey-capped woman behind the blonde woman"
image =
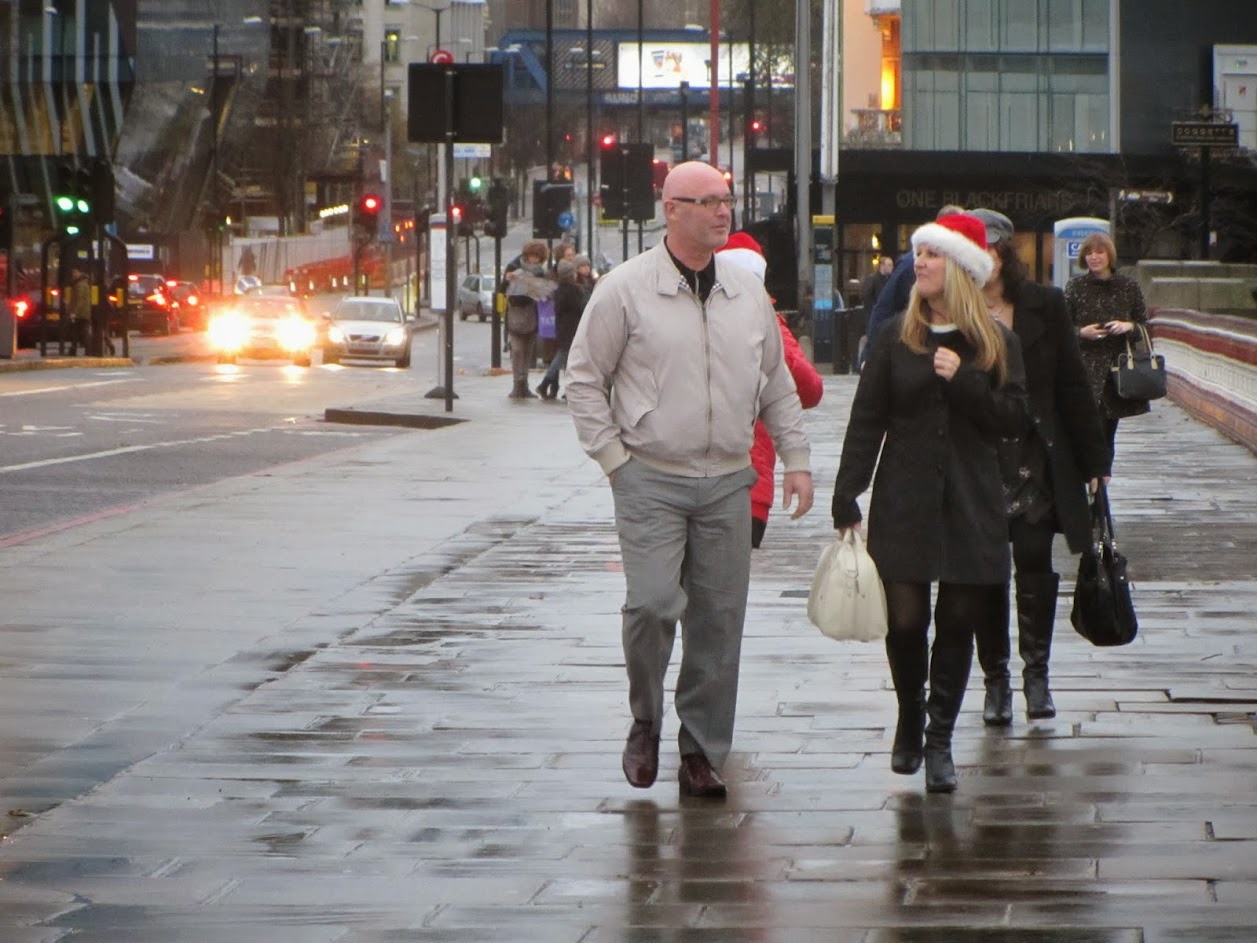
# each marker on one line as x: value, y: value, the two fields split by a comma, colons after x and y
x: 1062, y: 407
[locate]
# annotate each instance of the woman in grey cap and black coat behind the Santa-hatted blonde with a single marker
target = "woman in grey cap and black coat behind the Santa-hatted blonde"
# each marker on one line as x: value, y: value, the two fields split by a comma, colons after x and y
x: 1046, y: 472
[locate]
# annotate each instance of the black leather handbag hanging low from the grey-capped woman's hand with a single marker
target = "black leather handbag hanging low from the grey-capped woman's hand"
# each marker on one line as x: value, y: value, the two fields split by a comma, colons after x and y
x: 1103, y: 613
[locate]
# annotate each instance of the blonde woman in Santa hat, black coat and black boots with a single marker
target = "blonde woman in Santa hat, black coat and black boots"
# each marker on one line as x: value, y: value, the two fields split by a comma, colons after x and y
x: 941, y: 387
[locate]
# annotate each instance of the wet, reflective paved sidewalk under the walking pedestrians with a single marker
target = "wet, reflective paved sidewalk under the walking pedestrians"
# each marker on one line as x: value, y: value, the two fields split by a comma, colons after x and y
x: 379, y: 696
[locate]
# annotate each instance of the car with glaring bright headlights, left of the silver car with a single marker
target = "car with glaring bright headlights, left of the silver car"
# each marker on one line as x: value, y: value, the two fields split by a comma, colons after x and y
x: 261, y: 326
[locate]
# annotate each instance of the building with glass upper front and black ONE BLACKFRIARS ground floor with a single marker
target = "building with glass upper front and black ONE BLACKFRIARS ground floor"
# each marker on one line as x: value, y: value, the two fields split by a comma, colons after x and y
x: 1048, y: 110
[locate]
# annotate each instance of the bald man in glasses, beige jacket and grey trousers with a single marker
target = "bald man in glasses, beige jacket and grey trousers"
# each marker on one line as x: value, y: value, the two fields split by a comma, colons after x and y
x: 677, y: 356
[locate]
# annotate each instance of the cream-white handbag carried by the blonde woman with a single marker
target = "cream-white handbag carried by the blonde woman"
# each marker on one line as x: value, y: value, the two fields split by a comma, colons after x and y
x: 848, y: 600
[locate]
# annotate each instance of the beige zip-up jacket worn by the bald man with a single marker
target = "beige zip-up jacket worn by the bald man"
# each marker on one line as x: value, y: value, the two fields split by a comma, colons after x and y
x: 656, y: 374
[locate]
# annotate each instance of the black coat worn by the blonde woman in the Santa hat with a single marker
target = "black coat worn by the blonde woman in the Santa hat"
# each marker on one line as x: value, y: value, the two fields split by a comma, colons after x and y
x: 938, y: 506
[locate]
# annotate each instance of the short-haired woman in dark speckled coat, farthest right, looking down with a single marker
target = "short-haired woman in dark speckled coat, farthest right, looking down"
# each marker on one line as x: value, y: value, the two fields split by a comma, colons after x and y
x: 1106, y: 306
